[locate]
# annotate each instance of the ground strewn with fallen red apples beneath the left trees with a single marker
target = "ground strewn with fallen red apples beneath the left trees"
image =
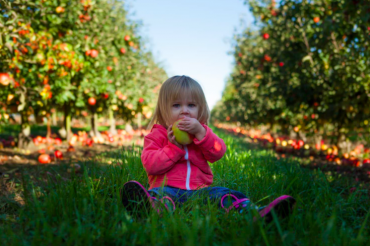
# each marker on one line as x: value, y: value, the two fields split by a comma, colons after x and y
x: 14, y: 162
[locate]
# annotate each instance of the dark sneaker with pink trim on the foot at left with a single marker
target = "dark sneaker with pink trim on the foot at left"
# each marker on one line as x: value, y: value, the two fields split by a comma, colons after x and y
x: 135, y: 197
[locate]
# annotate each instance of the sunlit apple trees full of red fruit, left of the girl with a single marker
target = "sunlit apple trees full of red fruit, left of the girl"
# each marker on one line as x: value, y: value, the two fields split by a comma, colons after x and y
x: 72, y: 57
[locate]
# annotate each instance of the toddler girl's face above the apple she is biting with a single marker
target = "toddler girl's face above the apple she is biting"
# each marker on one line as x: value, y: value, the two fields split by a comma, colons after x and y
x: 185, y: 107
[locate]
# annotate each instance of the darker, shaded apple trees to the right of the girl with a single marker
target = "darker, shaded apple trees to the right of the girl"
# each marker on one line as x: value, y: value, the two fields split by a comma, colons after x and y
x: 306, y: 70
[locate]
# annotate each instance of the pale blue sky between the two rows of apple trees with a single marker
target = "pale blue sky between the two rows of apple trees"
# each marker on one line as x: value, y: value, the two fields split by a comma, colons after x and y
x: 192, y: 37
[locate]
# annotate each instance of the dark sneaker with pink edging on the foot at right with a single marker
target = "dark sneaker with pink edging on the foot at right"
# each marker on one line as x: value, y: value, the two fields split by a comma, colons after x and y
x: 283, y: 207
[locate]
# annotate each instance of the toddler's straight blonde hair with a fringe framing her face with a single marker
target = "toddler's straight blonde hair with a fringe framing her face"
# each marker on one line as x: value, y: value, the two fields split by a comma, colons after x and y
x: 173, y: 89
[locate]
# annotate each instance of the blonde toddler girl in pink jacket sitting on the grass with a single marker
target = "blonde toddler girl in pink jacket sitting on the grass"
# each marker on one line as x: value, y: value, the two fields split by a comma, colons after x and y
x: 177, y: 172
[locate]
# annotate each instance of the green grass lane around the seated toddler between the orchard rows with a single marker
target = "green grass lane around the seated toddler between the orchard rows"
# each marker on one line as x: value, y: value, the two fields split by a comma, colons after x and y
x: 87, y: 209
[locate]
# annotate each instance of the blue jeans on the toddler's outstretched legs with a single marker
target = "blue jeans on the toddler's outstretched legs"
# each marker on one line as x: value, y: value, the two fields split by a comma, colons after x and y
x: 179, y: 196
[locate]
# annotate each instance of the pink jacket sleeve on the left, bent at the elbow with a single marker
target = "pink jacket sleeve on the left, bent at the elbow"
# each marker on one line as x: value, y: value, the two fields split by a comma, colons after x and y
x: 159, y: 159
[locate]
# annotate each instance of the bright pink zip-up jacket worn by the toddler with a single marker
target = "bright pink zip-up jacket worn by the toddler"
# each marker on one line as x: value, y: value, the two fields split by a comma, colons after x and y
x: 185, y: 168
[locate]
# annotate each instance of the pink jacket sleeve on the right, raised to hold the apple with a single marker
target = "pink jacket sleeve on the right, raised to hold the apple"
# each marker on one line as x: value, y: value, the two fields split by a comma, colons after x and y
x: 212, y: 147
